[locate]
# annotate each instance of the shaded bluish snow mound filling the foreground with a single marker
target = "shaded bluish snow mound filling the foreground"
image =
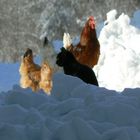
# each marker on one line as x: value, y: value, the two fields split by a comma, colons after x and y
x: 74, y: 111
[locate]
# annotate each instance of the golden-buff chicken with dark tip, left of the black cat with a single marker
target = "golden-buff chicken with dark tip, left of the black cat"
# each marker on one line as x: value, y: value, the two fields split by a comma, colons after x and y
x: 34, y: 76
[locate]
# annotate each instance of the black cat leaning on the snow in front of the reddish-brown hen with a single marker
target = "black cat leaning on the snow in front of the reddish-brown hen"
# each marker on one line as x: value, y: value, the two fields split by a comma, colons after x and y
x: 71, y: 66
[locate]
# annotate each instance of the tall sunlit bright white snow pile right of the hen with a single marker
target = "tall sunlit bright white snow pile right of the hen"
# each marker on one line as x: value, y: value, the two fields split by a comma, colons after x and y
x: 119, y: 63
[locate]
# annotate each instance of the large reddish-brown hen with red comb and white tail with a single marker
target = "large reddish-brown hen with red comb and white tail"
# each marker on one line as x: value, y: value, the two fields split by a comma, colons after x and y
x: 87, y: 51
